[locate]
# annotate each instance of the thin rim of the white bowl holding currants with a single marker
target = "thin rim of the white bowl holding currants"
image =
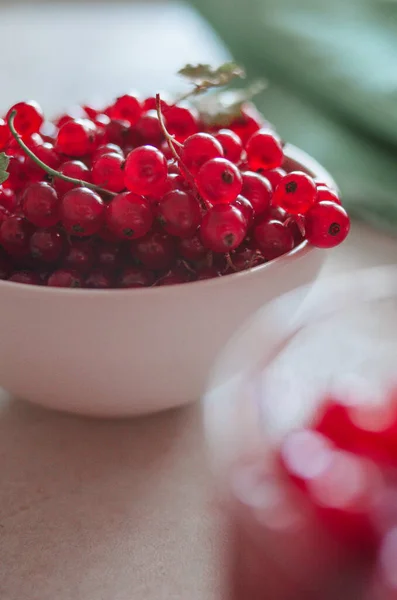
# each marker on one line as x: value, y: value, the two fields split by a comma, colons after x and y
x: 309, y: 164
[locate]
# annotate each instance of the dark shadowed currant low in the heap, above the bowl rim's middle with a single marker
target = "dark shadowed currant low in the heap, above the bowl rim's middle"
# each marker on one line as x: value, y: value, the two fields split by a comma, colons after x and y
x: 155, y: 251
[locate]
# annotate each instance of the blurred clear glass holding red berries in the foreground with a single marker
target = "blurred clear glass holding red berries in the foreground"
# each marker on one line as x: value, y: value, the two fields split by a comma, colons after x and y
x: 301, y: 420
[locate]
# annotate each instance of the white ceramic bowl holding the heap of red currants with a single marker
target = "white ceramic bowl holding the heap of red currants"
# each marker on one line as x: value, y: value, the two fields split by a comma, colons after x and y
x: 128, y: 352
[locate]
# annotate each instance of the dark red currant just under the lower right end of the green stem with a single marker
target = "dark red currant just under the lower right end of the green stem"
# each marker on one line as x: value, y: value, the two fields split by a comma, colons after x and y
x: 82, y: 212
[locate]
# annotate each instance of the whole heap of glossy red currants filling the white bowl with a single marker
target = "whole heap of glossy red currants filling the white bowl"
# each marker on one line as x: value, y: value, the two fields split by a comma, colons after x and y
x: 141, y: 193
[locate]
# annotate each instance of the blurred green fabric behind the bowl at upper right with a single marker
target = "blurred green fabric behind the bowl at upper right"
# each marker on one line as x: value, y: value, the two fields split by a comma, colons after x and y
x: 332, y: 68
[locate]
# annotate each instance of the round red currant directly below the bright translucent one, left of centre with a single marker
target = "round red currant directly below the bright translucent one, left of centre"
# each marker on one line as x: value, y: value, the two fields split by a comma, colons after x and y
x: 129, y: 216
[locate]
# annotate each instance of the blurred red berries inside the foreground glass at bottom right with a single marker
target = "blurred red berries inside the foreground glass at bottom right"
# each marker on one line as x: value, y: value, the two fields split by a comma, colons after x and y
x: 345, y: 466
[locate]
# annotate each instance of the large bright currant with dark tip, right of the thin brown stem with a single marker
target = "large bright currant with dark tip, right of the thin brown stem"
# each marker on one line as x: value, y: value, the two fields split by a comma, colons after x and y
x: 219, y: 181
